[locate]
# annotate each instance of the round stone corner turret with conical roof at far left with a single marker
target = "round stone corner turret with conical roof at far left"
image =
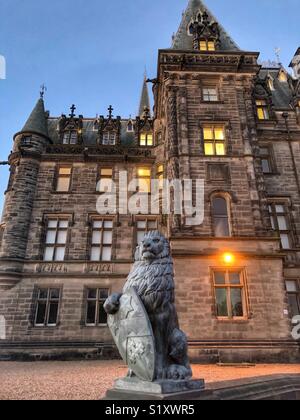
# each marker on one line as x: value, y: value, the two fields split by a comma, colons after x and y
x: 29, y: 144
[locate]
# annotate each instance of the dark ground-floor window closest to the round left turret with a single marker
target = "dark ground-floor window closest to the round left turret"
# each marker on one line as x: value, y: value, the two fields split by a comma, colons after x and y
x: 47, y: 307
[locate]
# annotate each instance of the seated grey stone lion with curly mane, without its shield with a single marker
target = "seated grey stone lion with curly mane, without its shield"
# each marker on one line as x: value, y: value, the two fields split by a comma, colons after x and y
x: 152, y: 277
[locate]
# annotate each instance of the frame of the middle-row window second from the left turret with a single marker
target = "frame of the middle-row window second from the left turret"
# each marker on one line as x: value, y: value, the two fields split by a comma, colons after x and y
x: 100, y: 245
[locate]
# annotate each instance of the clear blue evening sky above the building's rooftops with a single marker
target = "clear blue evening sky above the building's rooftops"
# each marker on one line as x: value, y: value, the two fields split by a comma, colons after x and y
x: 93, y: 52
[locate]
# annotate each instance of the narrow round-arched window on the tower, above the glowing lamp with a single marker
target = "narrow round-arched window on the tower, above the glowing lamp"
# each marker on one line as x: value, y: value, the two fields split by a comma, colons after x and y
x: 220, y: 217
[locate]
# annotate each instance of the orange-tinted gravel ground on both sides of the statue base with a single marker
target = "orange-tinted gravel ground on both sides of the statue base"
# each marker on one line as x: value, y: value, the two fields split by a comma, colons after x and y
x: 90, y: 380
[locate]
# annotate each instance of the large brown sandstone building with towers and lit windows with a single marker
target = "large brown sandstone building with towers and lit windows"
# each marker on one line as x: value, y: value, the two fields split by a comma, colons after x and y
x: 219, y: 116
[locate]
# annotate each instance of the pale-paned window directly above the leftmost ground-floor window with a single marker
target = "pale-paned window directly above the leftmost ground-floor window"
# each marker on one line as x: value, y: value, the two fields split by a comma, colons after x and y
x: 56, y: 239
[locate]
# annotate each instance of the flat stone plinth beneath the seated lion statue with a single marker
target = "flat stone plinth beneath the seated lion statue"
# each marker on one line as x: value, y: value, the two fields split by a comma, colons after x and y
x: 136, y: 389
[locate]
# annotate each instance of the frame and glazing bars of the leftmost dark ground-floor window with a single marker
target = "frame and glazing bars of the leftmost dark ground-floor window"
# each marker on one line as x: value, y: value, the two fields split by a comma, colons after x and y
x: 48, y: 301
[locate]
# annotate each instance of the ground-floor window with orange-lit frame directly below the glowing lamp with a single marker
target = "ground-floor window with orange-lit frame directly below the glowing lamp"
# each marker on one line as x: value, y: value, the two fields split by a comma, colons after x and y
x: 230, y: 294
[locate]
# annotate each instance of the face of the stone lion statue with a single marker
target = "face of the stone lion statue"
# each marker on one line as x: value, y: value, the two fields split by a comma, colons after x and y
x: 154, y: 246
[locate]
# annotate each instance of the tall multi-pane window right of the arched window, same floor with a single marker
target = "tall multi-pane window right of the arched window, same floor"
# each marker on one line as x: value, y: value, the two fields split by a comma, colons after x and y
x: 280, y: 223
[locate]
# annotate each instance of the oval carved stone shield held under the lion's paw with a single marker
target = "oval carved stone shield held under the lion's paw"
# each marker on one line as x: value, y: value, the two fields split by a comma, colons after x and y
x: 133, y: 335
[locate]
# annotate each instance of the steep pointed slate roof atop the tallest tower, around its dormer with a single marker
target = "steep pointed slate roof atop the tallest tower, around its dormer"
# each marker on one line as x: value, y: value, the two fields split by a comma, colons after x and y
x: 183, y: 40
